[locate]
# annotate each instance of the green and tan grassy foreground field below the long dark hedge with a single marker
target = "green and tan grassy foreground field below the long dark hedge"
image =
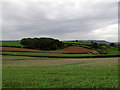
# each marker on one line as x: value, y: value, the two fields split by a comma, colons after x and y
x: 34, y: 72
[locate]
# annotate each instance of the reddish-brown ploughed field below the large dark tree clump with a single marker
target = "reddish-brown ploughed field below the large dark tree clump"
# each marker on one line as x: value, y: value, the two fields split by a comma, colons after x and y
x: 71, y: 49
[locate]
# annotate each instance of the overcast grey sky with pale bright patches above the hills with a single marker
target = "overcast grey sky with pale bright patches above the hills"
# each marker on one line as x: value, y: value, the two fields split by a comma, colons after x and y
x: 64, y: 20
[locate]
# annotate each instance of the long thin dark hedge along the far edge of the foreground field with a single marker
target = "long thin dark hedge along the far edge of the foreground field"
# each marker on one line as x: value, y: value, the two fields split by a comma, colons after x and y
x: 65, y: 56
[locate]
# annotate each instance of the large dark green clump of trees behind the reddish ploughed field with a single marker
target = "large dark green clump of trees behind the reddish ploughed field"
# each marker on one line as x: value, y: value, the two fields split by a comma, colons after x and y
x: 42, y: 43
